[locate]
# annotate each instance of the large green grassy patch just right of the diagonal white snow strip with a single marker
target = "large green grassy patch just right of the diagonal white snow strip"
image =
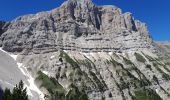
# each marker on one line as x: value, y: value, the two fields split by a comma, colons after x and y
x: 53, y: 87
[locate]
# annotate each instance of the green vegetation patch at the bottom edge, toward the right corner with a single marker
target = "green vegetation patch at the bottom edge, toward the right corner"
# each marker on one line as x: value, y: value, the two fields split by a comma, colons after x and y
x: 146, y: 94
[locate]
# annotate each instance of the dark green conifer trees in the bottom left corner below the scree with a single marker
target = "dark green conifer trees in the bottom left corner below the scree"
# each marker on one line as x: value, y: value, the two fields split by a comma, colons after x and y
x: 18, y: 93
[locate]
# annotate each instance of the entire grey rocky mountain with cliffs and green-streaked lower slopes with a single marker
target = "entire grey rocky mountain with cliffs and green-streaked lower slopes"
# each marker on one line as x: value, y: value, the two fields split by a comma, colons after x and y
x: 81, y: 51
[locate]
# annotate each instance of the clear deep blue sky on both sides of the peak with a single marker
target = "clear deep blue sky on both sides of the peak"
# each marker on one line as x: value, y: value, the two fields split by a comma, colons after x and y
x: 156, y: 13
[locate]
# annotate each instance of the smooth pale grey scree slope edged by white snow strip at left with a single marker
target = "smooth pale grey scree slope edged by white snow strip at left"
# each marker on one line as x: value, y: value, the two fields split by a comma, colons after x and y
x: 12, y: 72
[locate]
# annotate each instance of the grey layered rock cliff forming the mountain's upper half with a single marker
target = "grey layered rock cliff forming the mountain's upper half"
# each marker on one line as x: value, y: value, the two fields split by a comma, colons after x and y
x: 77, y: 25
